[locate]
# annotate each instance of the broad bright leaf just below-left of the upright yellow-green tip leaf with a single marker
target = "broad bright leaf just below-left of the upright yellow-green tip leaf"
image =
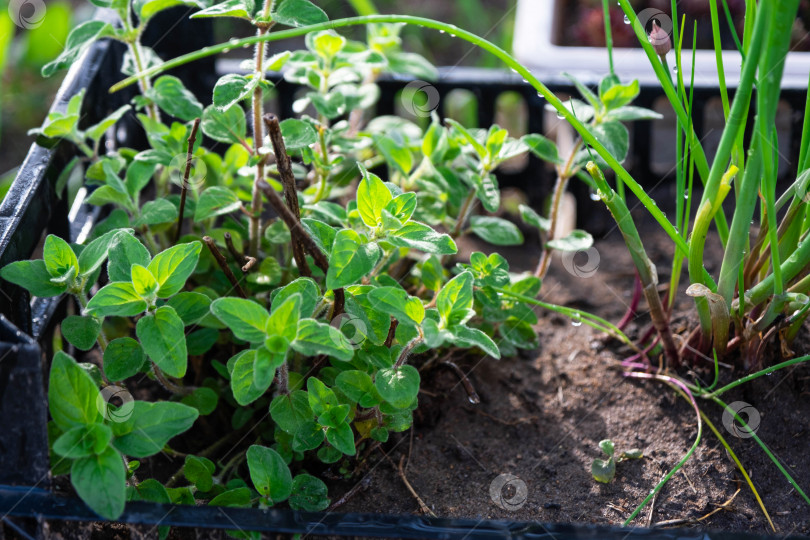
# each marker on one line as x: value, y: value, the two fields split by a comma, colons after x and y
x: 351, y: 259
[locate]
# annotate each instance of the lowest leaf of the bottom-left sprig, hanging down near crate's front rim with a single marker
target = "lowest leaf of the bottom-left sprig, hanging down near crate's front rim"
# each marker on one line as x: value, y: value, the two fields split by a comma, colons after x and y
x: 101, y: 482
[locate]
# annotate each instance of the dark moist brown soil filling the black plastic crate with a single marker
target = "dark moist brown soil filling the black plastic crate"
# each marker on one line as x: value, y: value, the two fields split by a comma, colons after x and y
x: 543, y: 413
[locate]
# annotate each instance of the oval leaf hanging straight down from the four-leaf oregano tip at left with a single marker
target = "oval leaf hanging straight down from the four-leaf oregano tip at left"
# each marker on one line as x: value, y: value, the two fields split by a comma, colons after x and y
x: 162, y: 335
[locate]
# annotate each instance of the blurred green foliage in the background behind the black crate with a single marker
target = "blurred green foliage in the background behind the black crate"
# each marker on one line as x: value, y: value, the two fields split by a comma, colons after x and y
x: 26, y: 96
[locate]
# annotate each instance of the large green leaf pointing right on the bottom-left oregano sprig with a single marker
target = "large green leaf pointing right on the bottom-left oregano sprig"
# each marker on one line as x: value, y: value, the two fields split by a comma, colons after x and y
x: 151, y: 426
